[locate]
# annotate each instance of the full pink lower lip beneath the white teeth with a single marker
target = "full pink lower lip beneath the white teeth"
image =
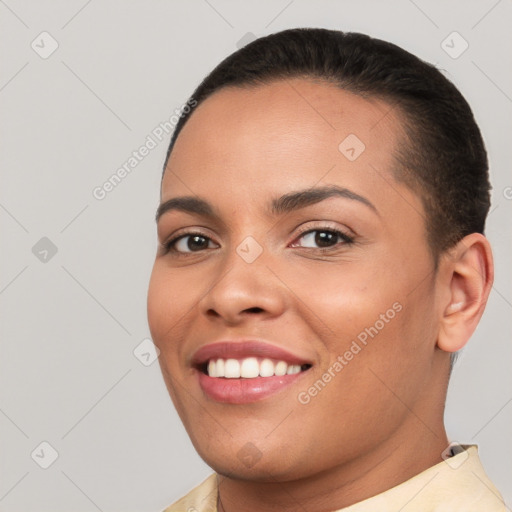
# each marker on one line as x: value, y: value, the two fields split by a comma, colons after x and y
x: 244, y: 391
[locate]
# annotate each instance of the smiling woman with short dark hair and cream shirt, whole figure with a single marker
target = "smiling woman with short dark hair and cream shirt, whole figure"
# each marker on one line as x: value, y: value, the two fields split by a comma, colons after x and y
x: 321, y: 261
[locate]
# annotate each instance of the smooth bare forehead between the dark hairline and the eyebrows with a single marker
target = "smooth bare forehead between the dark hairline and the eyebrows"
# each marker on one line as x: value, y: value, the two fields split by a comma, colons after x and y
x: 283, y: 135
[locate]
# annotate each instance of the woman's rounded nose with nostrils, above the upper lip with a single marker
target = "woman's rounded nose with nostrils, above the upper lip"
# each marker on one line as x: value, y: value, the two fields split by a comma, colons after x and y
x: 243, y: 290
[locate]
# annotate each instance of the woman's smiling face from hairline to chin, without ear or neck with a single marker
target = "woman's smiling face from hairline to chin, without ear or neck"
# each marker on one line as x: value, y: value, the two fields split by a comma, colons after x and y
x: 290, y: 254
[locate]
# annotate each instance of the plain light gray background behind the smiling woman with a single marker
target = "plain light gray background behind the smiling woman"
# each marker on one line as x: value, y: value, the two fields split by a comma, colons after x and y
x: 70, y: 324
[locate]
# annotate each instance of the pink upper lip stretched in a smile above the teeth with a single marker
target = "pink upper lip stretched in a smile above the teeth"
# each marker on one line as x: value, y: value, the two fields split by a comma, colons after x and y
x: 239, y: 349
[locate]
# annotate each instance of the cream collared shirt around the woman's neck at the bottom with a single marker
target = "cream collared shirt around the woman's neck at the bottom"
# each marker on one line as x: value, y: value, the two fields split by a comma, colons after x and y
x: 458, y: 484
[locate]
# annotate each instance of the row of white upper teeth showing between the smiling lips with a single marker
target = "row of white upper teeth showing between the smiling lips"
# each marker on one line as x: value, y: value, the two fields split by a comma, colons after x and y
x: 250, y: 368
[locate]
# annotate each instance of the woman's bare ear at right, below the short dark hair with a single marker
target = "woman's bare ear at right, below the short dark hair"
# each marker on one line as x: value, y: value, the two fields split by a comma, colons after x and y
x: 466, y: 280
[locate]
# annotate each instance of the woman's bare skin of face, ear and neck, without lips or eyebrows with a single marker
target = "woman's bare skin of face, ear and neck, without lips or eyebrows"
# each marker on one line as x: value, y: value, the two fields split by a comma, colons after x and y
x: 380, y: 420
